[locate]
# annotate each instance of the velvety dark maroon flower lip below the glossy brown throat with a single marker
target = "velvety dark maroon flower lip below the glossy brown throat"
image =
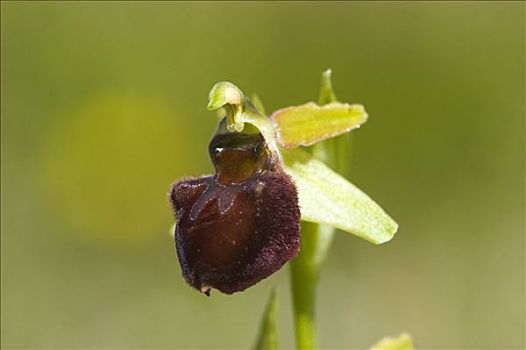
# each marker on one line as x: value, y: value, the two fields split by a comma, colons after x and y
x: 268, y: 243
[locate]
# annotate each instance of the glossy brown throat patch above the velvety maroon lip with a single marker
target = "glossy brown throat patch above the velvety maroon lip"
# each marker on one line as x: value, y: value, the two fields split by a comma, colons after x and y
x: 238, y: 156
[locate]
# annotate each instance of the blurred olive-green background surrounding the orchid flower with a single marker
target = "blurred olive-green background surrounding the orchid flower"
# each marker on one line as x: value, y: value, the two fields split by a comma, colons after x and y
x: 103, y: 106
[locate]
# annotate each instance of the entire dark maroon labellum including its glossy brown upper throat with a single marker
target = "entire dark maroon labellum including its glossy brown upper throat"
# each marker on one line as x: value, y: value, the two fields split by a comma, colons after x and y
x: 242, y: 224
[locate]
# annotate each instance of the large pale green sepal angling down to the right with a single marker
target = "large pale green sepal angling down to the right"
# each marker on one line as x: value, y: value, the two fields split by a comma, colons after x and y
x: 328, y: 198
